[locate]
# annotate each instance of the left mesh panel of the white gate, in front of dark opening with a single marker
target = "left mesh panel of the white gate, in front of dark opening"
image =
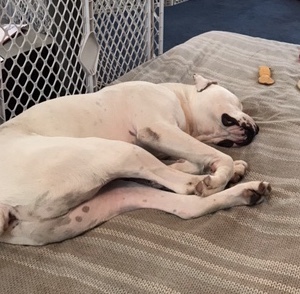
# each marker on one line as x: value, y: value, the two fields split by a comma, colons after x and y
x: 39, y: 52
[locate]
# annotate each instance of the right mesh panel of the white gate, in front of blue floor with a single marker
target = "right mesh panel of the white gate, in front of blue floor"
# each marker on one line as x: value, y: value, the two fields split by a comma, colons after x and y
x: 129, y: 33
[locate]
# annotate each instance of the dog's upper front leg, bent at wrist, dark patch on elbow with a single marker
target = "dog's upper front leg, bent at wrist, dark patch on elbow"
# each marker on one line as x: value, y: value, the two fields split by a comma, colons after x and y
x: 172, y: 141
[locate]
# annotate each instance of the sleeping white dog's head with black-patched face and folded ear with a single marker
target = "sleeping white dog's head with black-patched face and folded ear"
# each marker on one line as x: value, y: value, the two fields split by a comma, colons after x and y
x: 219, y: 116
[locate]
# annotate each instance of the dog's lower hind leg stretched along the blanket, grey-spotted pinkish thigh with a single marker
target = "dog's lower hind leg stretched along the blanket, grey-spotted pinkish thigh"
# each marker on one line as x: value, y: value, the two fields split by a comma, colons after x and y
x: 122, y: 196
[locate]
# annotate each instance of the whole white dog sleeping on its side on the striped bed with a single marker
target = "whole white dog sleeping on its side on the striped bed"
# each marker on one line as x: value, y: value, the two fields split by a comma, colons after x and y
x: 56, y: 157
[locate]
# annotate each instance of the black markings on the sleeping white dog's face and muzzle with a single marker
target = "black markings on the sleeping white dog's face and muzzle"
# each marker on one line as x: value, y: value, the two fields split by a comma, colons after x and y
x: 246, y: 123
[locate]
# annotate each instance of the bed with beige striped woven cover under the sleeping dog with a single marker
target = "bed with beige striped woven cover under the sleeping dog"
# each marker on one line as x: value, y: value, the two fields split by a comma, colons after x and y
x: 241, y: 250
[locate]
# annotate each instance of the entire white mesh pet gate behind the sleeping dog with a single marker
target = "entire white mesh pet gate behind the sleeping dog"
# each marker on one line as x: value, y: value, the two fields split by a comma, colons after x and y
x: 52, y: 48
